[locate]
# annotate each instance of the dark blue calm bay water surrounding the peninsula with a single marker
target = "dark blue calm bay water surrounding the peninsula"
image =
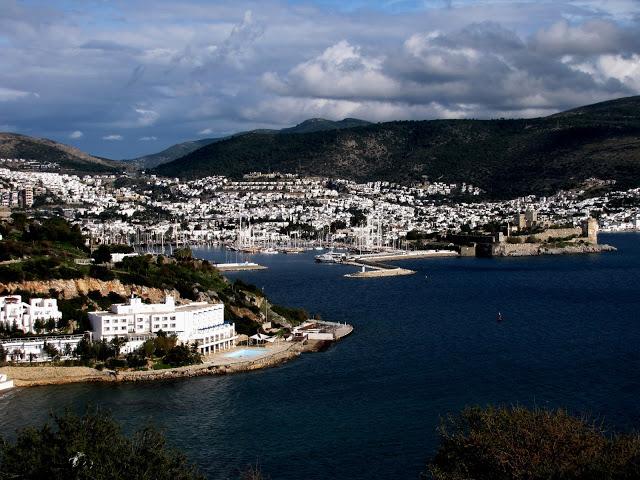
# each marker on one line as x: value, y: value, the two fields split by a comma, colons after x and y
x: 424, y: 345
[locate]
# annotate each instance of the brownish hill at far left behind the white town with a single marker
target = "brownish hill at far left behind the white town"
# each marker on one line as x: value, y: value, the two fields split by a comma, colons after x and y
x: 71, y: 159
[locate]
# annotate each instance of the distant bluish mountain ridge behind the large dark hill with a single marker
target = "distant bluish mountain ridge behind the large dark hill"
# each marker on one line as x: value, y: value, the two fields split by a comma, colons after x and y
x: 181, y: 149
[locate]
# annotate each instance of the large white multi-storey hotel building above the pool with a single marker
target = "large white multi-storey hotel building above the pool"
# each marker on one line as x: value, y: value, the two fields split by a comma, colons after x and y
x: 199, y: 322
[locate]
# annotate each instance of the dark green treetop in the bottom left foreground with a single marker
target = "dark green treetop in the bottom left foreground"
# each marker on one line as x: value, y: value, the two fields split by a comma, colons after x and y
x: 92, y: 447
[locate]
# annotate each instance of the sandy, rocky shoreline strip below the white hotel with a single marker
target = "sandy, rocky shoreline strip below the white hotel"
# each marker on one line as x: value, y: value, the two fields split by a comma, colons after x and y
x: 218, y: 364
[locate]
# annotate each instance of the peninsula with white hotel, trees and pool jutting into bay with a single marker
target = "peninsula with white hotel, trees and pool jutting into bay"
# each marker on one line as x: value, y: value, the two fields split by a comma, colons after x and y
x: 70, y: 313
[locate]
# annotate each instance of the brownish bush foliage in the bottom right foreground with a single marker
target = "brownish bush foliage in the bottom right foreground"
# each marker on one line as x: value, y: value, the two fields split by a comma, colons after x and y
x: 521, y: 444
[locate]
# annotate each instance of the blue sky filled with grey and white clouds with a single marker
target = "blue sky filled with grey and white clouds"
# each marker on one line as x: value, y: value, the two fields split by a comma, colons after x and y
x: 122, y: 78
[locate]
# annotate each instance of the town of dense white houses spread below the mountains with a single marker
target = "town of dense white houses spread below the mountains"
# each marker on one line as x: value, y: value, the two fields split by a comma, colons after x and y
x: 264, y: 211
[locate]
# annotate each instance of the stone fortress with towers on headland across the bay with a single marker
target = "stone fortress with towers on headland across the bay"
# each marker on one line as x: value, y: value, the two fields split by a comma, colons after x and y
x: 527, y: 236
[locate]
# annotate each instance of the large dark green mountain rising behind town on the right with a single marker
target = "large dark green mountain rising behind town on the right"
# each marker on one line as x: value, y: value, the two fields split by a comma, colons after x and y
x: 507, y: 158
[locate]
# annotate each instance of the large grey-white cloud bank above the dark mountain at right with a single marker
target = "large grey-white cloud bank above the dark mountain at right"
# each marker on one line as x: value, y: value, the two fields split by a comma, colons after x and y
x: 481, y: 70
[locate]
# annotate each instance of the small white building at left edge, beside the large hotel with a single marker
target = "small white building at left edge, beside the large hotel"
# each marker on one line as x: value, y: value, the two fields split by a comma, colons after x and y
x: 14, y: 311
